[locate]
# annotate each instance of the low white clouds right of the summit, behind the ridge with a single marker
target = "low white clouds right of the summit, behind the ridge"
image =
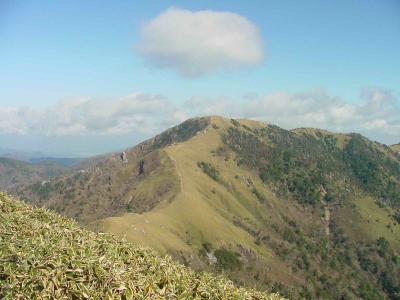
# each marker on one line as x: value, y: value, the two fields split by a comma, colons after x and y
x: 377, y: 115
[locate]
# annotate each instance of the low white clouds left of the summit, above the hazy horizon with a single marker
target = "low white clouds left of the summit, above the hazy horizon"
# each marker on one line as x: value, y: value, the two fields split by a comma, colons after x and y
x: 137, y: 112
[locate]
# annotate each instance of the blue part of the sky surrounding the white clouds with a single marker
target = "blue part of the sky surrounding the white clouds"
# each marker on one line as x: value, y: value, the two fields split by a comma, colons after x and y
x: 52, y: 51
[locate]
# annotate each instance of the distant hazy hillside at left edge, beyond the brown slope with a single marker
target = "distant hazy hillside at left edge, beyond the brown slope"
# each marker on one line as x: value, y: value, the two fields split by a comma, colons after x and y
x: 16, y: 172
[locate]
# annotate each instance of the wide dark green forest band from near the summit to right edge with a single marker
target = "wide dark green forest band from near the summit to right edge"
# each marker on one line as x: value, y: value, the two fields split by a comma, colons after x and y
x: 303, y: 163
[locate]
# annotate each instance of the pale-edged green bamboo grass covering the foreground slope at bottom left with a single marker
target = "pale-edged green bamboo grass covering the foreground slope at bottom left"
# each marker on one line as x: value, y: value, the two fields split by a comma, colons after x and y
x: 46, y: 256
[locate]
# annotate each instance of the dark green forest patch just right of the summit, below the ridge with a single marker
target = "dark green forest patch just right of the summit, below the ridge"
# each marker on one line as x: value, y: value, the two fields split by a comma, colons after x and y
x: 296, y: 164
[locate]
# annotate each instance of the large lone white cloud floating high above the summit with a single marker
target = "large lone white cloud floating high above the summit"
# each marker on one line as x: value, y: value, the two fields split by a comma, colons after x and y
x: 198, y: 43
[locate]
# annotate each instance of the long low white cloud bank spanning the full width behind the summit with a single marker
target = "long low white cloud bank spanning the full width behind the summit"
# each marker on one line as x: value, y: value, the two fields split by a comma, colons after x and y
x: 376, y: 114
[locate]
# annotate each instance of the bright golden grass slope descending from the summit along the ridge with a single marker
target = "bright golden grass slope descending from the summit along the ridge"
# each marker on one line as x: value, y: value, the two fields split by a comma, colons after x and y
x: 203, y: 210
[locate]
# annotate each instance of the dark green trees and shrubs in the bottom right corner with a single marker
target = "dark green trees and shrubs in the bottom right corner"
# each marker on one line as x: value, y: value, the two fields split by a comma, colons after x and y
x: 373, y: 267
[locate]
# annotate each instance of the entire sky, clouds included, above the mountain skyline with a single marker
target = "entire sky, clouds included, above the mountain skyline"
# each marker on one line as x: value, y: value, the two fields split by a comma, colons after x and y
x: 86, y: 77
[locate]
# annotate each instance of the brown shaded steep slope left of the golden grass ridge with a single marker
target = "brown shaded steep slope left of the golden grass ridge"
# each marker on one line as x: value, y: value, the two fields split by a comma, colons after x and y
x: 132, y: 181
